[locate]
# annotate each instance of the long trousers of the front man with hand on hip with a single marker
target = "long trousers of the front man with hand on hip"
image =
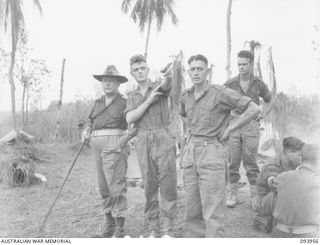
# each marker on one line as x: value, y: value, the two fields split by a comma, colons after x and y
x: 205, y: 181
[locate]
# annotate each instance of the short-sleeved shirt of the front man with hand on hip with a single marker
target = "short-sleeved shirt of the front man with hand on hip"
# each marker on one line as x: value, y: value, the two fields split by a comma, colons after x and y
x: 209, y: 114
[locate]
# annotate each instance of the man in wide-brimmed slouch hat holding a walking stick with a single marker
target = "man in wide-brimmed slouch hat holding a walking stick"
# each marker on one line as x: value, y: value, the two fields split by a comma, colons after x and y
x: 110, y: 149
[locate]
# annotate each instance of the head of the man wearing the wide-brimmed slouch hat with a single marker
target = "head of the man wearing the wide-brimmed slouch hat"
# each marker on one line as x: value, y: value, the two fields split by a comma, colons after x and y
x: 110, y: 80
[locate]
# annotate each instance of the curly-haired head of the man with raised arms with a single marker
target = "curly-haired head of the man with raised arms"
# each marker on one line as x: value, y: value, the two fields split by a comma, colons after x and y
x: 139, y: 68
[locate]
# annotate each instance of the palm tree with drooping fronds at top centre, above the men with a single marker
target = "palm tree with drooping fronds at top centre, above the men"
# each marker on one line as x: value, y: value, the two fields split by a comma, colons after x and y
x: 145, y: 11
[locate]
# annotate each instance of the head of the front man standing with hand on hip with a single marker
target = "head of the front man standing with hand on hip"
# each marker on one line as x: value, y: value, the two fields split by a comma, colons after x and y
x: 198, y: 69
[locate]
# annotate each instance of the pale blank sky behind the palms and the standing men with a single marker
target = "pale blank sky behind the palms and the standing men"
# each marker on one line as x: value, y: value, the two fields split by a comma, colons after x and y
x: 92, y: 34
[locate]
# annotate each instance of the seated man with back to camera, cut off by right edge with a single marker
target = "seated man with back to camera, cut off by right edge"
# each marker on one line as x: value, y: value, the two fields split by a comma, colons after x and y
x: 297, y: 212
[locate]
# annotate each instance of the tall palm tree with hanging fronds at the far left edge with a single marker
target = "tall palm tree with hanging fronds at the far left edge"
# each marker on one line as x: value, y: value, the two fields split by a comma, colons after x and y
x: 11, y: 14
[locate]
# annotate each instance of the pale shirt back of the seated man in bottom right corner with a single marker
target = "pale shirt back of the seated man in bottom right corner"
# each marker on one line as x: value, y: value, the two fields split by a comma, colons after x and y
x: 298, y: 201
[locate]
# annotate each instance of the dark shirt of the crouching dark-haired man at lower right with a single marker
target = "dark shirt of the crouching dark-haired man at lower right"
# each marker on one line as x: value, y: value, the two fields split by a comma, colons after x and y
x: 273, y: 167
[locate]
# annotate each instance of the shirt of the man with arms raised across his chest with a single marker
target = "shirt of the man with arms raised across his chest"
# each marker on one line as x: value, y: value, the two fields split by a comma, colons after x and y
x: 157, y: 115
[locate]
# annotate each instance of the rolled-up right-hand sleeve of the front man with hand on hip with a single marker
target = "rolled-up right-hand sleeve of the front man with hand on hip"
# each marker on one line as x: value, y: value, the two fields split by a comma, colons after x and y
x: 232, y: 100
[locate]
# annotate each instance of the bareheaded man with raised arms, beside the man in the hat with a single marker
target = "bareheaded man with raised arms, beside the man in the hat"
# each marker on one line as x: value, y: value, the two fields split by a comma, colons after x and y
x: 147, y: 108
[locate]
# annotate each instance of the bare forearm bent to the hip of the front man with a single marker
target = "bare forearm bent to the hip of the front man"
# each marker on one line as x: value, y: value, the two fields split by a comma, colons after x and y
x: 249, y: 114
